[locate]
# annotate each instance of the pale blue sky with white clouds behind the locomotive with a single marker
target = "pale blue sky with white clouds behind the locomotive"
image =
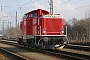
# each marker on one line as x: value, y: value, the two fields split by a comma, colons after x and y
x: 67, y: 8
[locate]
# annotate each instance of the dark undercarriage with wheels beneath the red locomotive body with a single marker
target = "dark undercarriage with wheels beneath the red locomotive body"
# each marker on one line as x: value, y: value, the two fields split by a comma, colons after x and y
x: 52, y: 43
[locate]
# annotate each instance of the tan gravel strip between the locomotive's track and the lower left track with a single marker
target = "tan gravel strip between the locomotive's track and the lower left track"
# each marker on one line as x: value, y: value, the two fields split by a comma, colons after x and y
x: 28, y: 53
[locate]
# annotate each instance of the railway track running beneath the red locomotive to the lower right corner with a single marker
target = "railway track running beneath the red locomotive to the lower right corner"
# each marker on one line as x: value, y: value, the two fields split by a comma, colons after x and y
x: 57, y: 53
